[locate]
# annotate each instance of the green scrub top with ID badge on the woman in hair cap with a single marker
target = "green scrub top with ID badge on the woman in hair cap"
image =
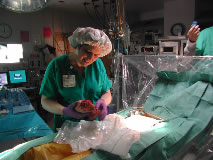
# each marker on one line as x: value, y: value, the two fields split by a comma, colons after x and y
x: 62, y: 82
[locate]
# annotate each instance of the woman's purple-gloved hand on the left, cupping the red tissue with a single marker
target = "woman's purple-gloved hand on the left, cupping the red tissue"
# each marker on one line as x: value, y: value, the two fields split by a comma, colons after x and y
x: 70, y: 111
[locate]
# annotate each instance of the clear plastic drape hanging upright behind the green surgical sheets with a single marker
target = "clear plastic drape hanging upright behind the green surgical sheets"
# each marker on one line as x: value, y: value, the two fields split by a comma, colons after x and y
x: 135, y: 76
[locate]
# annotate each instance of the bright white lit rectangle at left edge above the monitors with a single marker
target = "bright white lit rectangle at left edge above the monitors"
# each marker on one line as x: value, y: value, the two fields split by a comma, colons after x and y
x: 11, y: 53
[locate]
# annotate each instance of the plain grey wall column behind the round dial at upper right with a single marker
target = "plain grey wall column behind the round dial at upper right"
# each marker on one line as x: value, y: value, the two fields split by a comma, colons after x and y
x: 178, y: 11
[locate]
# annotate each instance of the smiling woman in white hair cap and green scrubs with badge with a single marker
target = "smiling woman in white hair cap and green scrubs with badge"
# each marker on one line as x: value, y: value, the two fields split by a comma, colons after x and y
x: 76, y: 76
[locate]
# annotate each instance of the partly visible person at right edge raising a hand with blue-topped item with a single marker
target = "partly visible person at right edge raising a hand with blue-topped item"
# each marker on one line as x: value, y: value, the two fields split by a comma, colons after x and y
x: 199, y: 43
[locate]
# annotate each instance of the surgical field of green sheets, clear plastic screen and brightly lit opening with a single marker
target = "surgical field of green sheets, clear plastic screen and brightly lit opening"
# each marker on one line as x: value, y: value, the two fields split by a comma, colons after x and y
x: 175, y: 92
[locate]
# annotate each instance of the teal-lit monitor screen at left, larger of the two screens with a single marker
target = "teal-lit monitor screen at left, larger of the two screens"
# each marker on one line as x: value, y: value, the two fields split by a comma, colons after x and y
x: 17, y: 76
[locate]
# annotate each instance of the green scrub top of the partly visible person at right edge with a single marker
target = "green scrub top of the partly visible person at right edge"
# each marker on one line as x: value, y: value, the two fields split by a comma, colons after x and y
x: 204, y: 43
